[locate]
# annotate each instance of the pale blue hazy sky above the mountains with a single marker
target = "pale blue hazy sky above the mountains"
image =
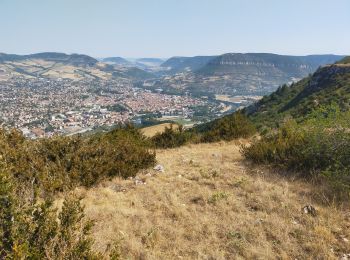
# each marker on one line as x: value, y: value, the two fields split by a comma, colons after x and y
x: 164, y: 28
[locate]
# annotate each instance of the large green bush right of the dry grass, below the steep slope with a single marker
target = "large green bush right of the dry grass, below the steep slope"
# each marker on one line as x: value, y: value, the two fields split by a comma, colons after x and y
x: 319, y: 146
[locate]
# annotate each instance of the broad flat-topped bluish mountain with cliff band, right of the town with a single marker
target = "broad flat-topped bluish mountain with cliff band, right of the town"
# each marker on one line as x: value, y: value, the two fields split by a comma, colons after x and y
x: 238, y: 73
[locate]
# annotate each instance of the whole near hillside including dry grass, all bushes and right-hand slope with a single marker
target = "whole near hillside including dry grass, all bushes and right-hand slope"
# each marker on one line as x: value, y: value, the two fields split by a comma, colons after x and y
x: 97, y: 196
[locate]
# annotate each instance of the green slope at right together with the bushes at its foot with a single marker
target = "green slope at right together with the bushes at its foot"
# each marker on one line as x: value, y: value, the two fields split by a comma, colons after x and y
x: 310, y: 127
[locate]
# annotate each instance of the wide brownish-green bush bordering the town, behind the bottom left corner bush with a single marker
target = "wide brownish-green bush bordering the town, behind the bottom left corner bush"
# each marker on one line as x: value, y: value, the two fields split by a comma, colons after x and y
x: 62, y: 163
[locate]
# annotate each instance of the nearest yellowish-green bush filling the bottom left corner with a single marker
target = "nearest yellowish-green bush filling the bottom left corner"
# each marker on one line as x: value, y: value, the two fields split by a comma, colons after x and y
x: 30, y: 229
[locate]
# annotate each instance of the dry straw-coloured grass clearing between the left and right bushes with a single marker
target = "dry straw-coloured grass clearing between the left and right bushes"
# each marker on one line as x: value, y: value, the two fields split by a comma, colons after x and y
x: 208, y: 204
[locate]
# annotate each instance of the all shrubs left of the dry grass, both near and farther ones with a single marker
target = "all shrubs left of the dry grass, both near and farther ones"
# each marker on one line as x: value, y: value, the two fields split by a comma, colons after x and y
x: 33, y: 171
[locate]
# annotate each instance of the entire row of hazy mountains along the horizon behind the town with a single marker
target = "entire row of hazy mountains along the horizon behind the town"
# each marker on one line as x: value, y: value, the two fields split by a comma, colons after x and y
x: 233, y: 73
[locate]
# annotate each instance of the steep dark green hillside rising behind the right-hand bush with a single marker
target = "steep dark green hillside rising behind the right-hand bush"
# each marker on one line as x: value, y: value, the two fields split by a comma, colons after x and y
x: 329, y: 84
